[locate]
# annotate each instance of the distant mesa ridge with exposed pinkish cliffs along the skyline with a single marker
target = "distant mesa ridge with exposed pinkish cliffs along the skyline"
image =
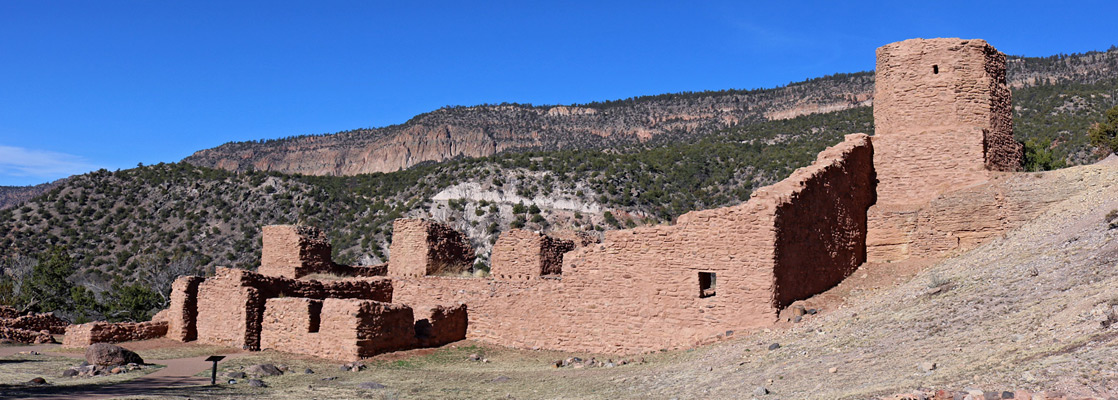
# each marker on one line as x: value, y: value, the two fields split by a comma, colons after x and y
x: 487, y: 130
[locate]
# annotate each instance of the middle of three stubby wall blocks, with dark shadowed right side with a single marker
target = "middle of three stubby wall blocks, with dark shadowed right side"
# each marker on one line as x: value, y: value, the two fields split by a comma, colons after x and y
x: 423, y: 247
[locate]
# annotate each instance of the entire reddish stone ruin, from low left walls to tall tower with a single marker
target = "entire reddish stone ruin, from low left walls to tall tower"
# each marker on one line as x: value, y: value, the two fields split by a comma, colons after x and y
x: 944, y: 128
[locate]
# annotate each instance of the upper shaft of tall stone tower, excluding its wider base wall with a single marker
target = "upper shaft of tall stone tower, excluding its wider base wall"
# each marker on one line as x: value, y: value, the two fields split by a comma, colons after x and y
x: 943, y: 118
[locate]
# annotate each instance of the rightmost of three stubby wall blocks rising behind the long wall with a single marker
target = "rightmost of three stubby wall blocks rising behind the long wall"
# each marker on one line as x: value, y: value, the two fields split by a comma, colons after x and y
x: 527, y: 255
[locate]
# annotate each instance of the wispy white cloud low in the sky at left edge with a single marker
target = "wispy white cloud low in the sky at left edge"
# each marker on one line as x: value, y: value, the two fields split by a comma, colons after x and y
x: 23, y: 164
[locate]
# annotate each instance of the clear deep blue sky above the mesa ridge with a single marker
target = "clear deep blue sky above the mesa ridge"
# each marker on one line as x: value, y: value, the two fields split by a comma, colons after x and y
x: 111, y: 84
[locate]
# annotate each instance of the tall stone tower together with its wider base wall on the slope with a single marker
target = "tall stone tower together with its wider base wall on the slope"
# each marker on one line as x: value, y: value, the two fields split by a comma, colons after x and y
x: 943, y: 122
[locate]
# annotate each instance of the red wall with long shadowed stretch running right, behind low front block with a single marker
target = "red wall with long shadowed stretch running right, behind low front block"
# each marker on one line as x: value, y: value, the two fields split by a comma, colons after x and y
x: 231, y: 304
